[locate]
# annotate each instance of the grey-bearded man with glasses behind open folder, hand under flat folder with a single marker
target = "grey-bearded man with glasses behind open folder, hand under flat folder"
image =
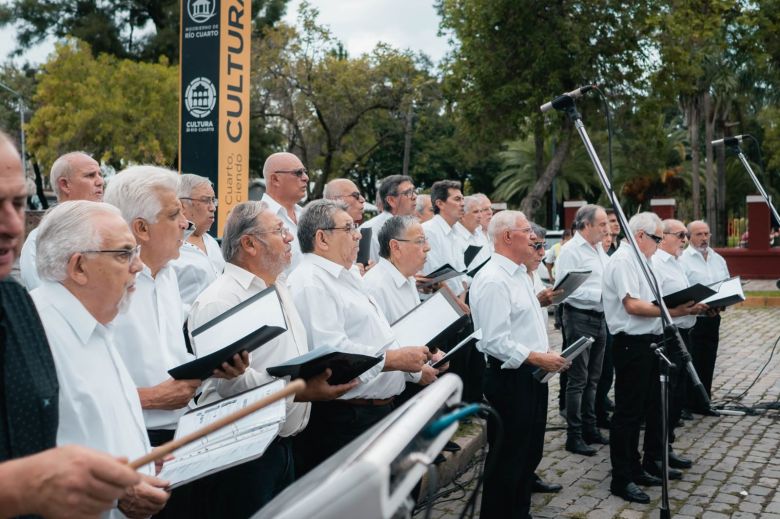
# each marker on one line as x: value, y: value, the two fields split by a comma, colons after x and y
x: 256, y: 244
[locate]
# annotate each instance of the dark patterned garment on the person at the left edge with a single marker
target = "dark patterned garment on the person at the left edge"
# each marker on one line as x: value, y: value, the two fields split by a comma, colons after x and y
x: 29, y: 409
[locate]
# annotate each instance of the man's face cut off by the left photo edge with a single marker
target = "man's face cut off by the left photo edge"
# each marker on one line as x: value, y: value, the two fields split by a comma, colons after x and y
x: 13, y: 197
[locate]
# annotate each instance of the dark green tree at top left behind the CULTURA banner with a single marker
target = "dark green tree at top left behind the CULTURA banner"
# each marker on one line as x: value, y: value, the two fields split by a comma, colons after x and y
x: 116, y: 27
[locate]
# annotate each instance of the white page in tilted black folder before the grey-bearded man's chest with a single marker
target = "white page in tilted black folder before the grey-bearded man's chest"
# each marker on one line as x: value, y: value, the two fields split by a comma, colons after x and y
x: 266, y: 310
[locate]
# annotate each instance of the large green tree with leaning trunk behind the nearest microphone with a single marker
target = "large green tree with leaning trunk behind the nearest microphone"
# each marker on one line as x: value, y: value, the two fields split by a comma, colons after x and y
x: 511, y: 56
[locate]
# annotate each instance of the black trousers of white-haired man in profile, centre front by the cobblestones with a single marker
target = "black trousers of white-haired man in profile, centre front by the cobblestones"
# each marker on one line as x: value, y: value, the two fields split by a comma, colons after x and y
x: 521, y: 402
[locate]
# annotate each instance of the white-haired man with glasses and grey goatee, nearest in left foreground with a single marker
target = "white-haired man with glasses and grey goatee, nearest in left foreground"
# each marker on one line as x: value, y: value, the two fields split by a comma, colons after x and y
x: 88, y: 261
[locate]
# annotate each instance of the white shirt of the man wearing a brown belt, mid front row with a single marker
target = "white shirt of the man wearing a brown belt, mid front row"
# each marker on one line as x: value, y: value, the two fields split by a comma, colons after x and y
x: 338, y: 312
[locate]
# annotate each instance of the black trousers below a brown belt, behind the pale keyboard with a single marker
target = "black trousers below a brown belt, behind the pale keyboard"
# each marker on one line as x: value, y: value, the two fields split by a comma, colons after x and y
x: 332, y: 425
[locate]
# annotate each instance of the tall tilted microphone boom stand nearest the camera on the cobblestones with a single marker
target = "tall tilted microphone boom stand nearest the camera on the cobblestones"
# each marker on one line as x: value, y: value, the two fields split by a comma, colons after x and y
x: 567, y: 105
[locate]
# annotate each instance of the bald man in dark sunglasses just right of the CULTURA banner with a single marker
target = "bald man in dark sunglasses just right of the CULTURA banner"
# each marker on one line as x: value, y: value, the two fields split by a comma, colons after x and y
x: 286, y: 181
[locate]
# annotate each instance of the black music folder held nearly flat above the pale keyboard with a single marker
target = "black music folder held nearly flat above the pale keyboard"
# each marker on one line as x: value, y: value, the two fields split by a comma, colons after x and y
x: 344, y: 366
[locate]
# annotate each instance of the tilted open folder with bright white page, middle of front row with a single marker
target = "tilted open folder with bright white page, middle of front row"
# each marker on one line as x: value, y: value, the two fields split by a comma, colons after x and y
x: 431, y: 323
